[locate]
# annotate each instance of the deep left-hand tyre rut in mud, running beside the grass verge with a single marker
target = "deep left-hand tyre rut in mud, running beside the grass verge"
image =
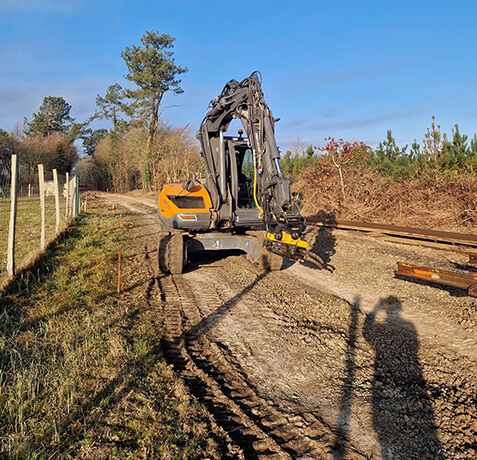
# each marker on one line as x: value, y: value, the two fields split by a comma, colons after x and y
x: 189, y: 352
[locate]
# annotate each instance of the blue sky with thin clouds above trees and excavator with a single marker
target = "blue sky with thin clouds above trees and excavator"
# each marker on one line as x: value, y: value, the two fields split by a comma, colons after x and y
x: 349, y: 69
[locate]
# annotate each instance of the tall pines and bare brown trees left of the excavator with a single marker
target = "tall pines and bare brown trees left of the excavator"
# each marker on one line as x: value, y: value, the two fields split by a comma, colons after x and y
x: 138, y: 151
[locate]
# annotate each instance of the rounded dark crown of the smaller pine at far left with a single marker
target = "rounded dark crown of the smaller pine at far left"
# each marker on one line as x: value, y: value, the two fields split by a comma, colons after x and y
x: 53, y: 117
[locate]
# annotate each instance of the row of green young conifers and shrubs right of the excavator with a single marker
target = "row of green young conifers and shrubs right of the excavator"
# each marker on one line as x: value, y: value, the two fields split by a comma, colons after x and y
x: 437, y: 154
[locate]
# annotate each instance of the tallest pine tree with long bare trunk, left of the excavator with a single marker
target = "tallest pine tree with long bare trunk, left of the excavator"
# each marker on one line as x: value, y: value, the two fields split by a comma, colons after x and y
x: 152, y: 68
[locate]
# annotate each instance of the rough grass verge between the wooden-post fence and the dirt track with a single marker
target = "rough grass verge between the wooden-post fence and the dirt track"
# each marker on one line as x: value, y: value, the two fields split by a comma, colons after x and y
x: 81, y: 370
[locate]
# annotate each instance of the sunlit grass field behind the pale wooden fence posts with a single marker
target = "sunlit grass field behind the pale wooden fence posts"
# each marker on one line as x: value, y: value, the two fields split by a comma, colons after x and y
x: 28, y: 227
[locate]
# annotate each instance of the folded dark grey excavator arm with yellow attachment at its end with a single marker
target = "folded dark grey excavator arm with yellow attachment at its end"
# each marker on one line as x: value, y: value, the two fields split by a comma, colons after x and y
x: 271, y: 190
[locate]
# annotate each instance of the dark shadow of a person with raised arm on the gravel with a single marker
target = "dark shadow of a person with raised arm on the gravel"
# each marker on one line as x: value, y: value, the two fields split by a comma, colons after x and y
x: 403, y: 418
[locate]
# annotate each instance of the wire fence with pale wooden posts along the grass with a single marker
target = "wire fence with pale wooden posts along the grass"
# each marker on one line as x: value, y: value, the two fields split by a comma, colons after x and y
x: 44, y: 205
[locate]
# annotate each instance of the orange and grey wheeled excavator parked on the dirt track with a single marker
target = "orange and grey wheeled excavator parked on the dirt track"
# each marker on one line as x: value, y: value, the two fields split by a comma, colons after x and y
x: 244, y: 202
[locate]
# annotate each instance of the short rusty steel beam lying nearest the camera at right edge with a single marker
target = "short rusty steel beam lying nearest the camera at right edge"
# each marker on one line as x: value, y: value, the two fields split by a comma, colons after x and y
x: 447, y: 278
